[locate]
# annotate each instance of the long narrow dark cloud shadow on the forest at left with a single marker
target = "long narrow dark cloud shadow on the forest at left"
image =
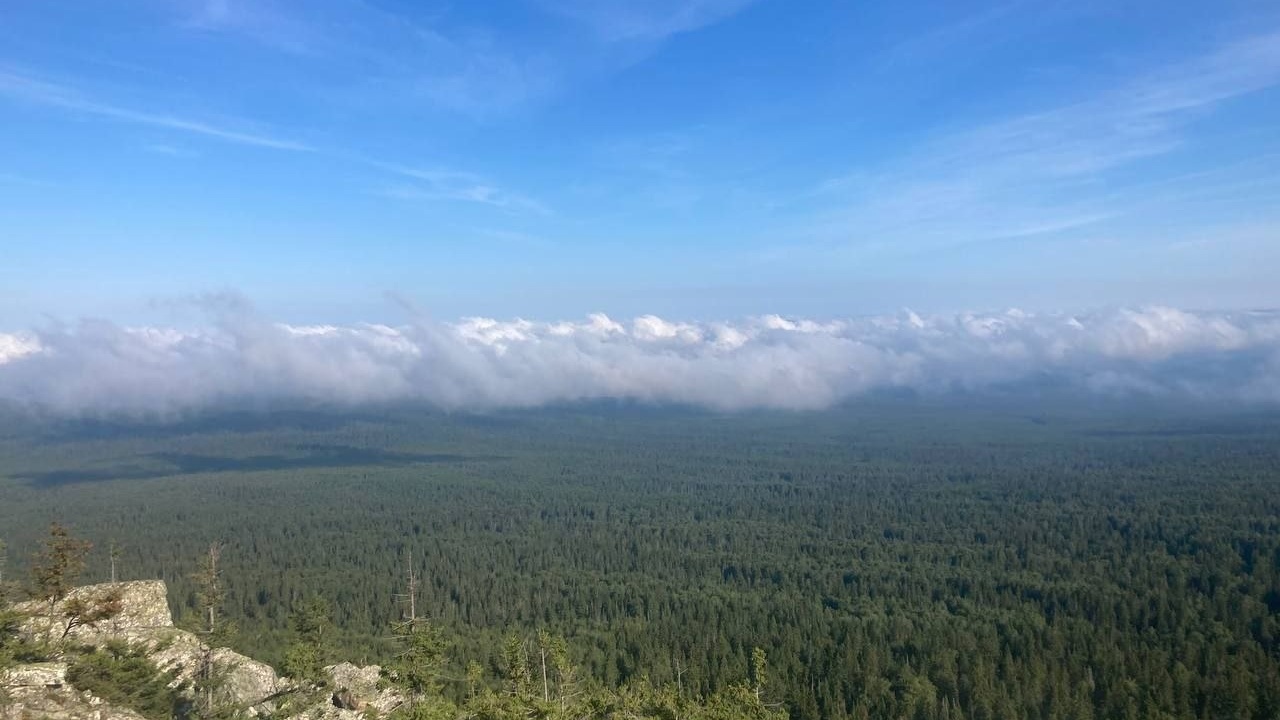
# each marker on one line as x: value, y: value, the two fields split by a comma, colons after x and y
x: 184, y: 464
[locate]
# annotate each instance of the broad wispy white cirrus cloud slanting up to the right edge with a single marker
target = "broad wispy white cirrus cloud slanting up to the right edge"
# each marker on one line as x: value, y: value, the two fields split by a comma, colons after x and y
x: 1041, y: 172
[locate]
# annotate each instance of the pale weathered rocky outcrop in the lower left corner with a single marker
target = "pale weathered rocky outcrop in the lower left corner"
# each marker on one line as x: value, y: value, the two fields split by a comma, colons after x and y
x: 144, y: 622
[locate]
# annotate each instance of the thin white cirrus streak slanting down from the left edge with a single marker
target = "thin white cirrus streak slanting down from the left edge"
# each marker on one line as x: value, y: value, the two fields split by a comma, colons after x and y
x: 30, y: 89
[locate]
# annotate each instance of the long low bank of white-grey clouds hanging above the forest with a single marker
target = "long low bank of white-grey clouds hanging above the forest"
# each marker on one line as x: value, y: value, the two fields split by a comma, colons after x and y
x: 103, y: 368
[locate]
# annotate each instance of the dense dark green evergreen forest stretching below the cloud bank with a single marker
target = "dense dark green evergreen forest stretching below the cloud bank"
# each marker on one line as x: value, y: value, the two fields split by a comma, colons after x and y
x: 900, y: 558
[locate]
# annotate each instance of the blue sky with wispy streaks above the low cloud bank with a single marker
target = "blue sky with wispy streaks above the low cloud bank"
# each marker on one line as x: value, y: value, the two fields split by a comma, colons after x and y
x: 702, y: 160
